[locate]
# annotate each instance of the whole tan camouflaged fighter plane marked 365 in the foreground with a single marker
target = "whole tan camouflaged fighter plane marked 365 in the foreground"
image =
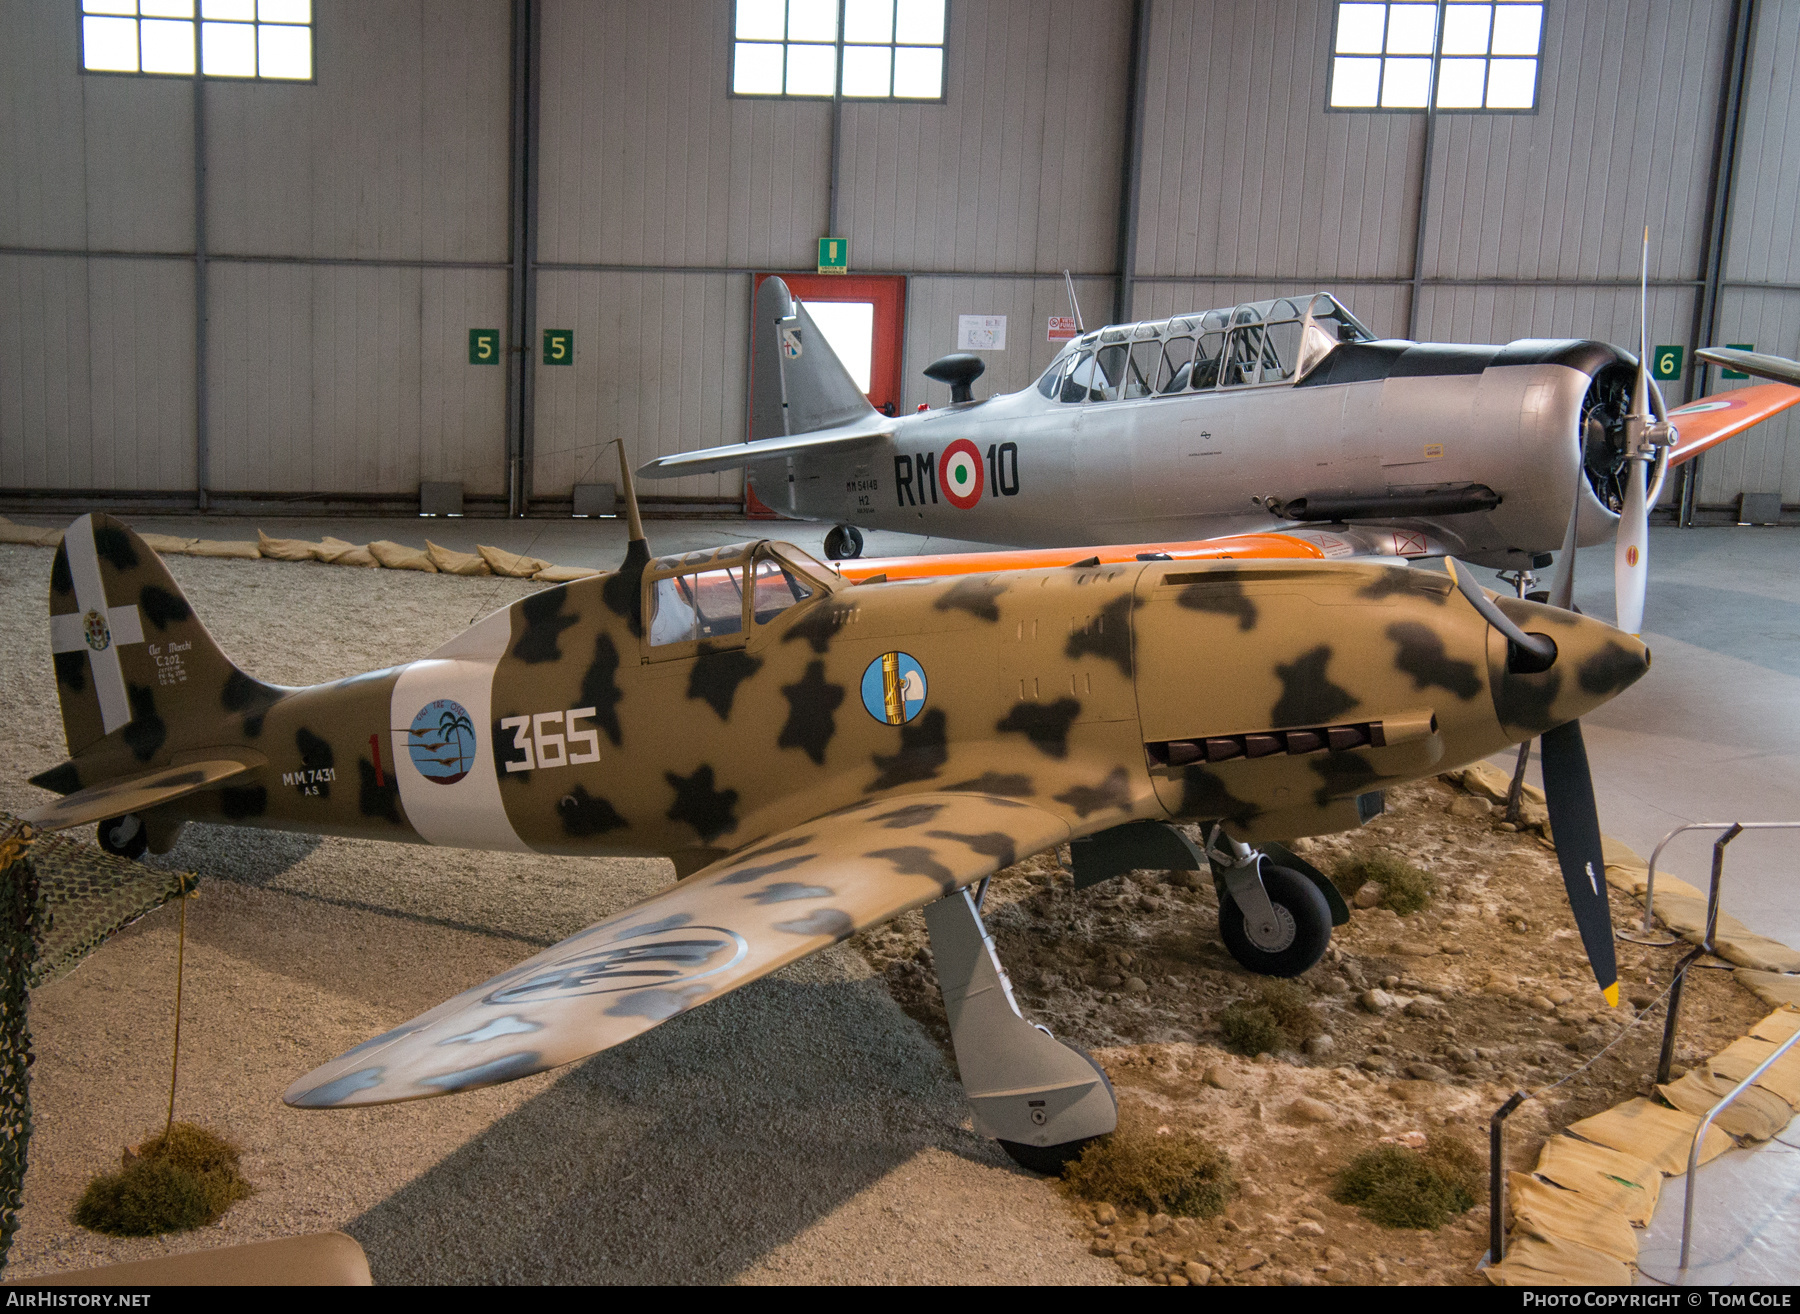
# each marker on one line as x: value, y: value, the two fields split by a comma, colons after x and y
x: 818, y: 757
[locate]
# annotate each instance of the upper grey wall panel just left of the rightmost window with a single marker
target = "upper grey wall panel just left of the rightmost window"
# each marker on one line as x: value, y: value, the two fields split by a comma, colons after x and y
x: 1243, y: 168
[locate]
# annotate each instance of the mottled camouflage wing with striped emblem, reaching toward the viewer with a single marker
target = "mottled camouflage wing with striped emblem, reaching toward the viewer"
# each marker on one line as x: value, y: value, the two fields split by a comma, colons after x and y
x: 721, y: 928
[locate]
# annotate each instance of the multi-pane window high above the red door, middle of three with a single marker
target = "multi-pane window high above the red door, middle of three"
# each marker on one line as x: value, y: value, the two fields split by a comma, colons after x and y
x: 890, y: 49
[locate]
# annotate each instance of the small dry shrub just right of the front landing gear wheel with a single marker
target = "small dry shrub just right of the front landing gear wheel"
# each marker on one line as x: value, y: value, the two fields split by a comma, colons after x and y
x: 1137, y: 1169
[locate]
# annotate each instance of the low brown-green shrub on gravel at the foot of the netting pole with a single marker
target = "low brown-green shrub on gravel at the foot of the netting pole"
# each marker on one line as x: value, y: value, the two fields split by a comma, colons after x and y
x: 175, y: 1182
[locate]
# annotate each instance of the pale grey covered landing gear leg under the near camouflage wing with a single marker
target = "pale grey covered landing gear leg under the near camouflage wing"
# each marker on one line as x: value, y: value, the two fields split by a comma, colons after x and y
x: 1039, y: 1099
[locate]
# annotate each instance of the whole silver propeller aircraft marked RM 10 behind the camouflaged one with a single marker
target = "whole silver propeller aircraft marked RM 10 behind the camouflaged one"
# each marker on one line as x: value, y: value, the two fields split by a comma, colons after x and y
x: 1281, y: 415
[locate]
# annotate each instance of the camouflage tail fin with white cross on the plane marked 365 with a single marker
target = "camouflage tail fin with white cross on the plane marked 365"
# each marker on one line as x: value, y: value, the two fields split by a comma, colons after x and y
x: 134, y: 665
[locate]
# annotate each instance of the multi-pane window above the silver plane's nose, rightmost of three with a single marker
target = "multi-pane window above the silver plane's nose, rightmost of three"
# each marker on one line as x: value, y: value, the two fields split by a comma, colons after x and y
x: 1488, y: 57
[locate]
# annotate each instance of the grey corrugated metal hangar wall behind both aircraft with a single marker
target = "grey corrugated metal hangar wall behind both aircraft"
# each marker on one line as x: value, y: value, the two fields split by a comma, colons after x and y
x: 357, y: 228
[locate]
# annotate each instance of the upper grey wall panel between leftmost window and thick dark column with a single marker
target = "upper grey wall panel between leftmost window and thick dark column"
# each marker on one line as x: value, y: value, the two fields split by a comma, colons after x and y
x: 399, y: 152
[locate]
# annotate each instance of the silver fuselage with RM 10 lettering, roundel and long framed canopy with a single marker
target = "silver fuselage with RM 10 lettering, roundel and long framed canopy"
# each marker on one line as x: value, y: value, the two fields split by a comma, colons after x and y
x: 1115, y: 444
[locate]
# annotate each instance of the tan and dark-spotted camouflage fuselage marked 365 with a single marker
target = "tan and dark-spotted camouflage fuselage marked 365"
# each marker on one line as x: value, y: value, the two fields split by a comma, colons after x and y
x: 1281, y: 697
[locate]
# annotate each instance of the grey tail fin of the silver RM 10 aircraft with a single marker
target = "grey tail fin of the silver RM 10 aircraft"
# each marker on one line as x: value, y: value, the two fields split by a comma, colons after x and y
x: 798, y: 384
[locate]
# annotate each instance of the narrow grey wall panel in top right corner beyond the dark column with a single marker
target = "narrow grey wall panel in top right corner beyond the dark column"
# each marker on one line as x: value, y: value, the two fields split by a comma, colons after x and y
x: 1765, y: 242
